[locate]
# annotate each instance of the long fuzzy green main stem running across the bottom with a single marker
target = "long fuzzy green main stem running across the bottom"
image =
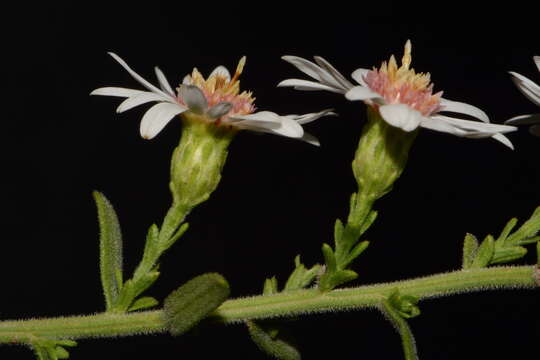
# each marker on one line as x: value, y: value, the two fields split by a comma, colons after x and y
x: 268, y: 306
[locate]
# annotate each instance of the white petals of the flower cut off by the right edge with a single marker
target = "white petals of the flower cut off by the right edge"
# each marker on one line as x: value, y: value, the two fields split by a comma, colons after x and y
x: 531, y: 90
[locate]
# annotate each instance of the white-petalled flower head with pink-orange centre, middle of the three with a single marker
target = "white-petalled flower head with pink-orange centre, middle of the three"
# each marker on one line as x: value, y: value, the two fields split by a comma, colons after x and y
x: 403, y: 98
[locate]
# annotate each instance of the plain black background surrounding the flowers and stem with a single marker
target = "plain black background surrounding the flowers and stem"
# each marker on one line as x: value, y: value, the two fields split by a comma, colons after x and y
x: 278, y: 197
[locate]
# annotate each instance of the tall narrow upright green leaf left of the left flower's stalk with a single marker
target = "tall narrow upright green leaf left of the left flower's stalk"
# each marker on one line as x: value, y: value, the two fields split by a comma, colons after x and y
x: 110, y: 249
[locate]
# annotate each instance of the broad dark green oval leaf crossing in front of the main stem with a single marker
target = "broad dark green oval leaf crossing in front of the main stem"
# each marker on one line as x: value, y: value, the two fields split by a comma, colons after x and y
x: 193, y: 301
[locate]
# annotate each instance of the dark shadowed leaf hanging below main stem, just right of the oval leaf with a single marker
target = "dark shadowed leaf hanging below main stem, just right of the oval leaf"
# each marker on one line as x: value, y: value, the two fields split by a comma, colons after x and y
x: 274, y: 346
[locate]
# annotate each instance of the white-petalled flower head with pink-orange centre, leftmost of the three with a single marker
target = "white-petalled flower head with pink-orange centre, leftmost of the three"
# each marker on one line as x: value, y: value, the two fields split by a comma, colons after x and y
x: 217, y: 100
